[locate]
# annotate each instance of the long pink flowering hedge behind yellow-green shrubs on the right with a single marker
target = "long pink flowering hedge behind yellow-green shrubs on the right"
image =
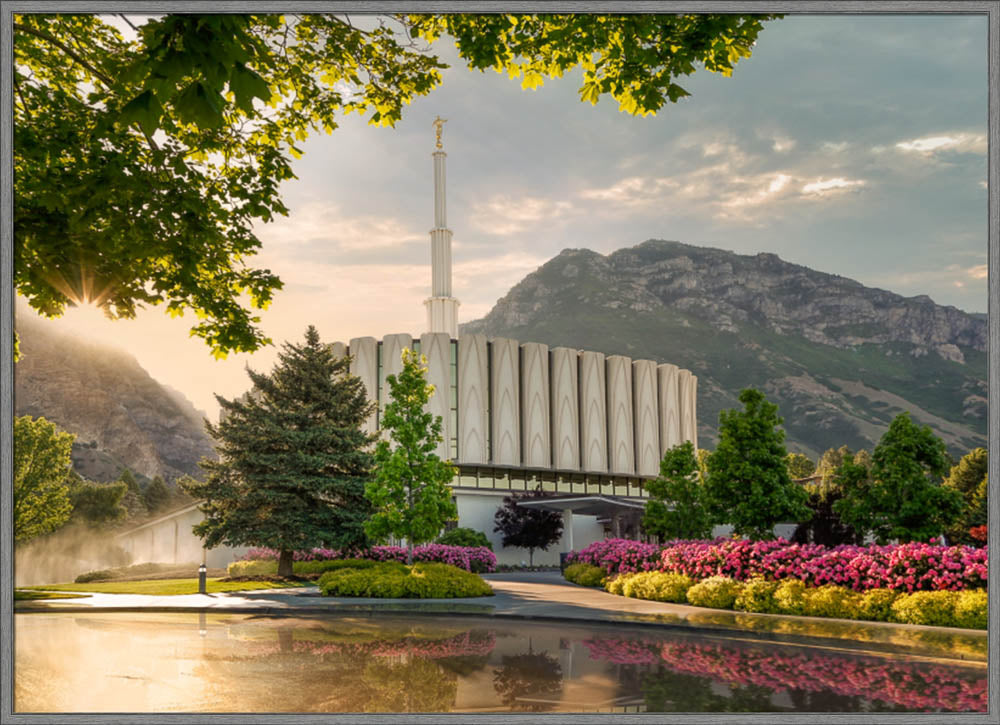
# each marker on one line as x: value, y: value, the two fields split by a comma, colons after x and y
x: 908, y: 567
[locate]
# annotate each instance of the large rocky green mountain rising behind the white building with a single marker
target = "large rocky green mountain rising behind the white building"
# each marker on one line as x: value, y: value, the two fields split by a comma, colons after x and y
x: 840, y: 359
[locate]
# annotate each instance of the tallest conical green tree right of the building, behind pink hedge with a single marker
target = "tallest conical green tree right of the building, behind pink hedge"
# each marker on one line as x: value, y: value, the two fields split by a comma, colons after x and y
x: 748, y: 484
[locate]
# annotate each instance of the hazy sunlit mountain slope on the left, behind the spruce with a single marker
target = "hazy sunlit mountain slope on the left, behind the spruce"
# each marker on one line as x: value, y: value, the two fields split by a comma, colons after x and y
x: 121, y: 416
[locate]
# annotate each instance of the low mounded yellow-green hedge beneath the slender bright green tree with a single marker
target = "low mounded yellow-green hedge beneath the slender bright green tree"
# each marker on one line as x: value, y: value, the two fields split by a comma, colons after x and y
x: 423, y: 580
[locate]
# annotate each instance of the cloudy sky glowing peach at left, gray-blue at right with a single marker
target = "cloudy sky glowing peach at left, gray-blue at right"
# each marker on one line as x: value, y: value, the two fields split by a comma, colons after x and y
x: 854, y: 145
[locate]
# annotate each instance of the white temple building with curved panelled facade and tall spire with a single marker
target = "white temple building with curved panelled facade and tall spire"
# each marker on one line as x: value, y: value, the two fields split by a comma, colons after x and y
x: 585, y: 426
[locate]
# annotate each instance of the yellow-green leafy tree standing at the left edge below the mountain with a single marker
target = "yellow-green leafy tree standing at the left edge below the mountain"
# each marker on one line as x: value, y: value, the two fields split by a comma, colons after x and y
x: 41, y: 462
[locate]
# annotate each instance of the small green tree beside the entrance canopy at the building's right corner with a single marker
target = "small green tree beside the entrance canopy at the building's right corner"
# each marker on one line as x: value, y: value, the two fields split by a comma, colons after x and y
x: 676, y: 507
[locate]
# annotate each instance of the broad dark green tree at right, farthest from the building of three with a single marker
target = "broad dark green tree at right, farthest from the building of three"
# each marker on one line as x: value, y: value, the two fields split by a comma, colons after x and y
x: 903, y: 497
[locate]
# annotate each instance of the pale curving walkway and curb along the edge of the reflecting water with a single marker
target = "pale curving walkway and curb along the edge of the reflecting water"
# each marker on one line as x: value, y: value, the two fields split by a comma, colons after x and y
x: 547, y: 596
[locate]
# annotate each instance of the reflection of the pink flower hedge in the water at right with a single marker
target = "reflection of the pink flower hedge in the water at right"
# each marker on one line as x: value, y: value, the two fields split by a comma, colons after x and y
x: 909, y: 684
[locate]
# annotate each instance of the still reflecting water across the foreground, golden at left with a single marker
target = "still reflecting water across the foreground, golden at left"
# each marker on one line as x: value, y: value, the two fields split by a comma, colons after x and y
x: 146, y: 662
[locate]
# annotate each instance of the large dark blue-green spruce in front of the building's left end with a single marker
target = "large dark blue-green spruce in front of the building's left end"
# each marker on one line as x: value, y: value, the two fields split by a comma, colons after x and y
x: 293, y: 458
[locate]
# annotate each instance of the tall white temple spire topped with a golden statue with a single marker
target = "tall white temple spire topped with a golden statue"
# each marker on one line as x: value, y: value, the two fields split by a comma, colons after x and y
x: 442, y: 308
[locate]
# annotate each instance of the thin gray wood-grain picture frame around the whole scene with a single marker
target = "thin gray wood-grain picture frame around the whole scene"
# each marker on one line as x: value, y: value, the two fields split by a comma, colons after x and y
x: 991, y: 8
